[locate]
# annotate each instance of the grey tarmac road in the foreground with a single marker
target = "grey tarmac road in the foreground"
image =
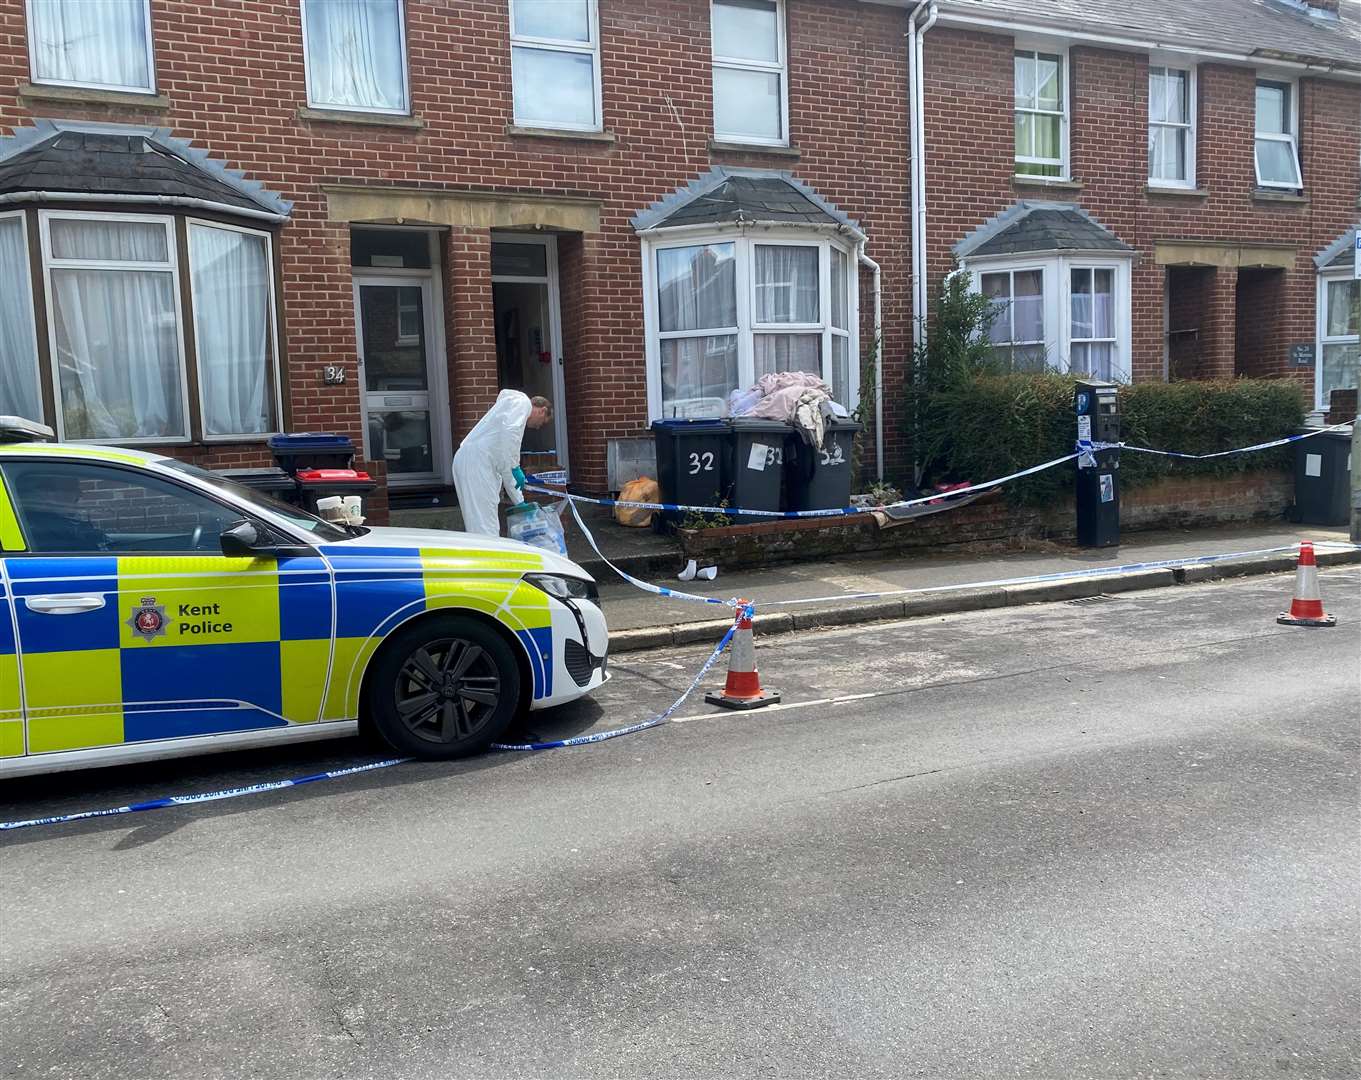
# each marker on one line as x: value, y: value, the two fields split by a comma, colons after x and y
x: 1113, y: 839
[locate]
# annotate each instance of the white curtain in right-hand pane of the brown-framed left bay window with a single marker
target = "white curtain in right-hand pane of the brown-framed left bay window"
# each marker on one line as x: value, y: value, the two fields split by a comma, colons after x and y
x: 231, y: 274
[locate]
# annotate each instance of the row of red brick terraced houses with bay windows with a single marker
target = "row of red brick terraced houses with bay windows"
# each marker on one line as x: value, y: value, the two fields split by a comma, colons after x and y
x: 225, y: 218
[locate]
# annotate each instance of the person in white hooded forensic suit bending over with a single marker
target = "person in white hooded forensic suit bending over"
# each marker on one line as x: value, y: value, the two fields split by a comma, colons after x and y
x: 489, y: 459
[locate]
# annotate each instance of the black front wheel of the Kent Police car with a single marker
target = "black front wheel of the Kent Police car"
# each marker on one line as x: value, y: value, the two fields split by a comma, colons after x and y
x: 444, y: 689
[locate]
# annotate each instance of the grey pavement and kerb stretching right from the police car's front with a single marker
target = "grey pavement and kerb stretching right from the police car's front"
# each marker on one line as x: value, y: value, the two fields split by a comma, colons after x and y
x: 952, y: 581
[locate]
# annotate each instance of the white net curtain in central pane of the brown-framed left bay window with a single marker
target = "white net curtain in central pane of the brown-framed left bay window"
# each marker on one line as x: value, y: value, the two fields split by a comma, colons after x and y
x: 116, y: 331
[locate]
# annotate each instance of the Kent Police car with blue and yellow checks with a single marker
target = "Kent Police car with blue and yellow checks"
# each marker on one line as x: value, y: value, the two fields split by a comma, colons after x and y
x: 152, y: 609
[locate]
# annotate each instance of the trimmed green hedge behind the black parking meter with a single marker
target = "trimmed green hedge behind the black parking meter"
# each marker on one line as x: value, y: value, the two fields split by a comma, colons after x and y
x: 996, y: 425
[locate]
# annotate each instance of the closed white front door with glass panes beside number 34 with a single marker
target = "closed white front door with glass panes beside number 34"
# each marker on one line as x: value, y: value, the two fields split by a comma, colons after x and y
x: 395, y: 327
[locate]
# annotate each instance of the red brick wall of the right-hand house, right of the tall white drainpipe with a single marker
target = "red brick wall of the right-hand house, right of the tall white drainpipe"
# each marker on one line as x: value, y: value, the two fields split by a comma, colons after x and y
x: 970, y: 173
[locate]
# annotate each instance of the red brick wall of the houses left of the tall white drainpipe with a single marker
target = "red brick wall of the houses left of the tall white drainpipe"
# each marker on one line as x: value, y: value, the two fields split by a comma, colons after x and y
x: 232, y: 73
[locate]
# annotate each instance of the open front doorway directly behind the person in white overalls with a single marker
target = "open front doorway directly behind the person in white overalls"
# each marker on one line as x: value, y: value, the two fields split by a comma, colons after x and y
x: 525, y: 300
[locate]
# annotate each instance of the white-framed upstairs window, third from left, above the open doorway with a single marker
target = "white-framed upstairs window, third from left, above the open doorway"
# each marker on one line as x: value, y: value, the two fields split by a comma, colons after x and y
x: 556, y: 65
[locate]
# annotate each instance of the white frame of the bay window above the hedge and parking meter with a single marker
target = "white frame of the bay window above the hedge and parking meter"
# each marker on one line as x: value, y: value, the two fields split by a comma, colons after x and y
x: 1058, y: 301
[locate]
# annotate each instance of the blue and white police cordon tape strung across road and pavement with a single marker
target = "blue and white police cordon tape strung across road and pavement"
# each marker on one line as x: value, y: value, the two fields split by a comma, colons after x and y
x: 745, y: 610
